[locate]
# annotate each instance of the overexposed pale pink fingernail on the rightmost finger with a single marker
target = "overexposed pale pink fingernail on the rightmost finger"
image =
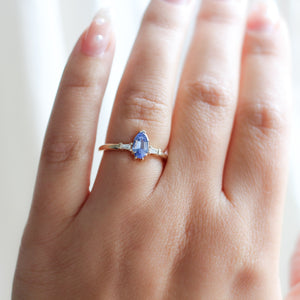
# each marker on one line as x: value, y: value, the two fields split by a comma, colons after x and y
x: 264, y: 15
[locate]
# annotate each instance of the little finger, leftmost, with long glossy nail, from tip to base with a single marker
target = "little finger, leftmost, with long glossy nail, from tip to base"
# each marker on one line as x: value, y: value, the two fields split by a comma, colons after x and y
x: 64, y: 171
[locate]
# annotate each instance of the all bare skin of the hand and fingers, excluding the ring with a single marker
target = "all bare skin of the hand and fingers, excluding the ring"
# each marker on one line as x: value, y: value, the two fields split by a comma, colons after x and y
x: 206, y: 223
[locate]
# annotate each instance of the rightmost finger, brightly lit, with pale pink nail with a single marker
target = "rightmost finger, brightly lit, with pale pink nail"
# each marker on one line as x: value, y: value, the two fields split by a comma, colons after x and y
x: 257, y: 159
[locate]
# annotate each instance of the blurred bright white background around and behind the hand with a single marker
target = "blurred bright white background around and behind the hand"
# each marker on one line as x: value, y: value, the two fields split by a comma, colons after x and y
x: 36, y: 39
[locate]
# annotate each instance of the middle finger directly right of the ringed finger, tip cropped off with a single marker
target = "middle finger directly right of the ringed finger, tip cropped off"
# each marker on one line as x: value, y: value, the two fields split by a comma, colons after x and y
x: 207, y: 94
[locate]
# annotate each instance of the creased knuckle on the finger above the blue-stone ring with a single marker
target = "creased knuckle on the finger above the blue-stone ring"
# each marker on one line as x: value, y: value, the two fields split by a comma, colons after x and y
x: 146, y: 108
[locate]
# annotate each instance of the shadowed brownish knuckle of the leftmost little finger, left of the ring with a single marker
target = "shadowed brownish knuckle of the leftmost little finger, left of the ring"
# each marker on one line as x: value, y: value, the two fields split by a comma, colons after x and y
x: 62, y: 149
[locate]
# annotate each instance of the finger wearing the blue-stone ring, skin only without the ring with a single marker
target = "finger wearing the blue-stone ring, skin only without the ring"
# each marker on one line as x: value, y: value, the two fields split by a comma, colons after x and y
x: 145, y: 96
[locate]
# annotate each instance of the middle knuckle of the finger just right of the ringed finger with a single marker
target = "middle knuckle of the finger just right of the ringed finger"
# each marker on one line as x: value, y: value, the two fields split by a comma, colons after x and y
x: 210, y: 92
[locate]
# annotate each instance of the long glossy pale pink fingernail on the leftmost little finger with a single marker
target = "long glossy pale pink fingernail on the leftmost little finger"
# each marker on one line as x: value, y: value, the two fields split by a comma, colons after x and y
x: 97, y: 37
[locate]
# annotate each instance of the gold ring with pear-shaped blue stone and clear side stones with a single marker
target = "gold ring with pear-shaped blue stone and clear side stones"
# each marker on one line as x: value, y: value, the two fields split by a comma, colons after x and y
x: 140, y: 147
